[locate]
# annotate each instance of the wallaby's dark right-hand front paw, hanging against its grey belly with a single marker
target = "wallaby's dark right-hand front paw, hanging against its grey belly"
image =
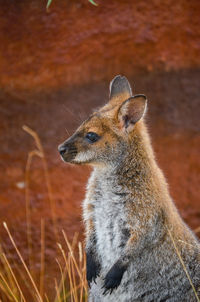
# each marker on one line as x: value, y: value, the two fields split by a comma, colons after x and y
x: 113, y: 278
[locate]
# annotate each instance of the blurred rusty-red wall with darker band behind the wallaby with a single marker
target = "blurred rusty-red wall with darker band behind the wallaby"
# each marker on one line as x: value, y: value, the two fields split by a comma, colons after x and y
x: 55, y: 68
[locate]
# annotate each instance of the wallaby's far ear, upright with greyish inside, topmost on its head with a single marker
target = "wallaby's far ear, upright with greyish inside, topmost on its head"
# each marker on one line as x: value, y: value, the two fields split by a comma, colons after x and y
x: 120, y: 86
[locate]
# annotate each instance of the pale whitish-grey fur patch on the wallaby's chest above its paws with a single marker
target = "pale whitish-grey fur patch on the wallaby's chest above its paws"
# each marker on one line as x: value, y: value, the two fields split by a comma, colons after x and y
x: 110, y: 219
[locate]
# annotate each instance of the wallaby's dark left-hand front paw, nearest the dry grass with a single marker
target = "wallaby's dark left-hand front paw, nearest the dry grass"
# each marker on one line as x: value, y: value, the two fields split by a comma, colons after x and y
x: 93, y: 268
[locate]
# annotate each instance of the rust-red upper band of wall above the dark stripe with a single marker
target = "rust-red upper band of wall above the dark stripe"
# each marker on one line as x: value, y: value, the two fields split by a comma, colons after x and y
x: 77, y: 42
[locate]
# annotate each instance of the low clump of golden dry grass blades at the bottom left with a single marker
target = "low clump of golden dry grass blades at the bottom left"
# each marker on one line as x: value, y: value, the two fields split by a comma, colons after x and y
x: 71, y: 286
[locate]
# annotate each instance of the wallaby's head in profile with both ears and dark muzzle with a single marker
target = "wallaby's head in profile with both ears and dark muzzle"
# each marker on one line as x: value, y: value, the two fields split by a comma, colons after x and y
x: 104, y: 137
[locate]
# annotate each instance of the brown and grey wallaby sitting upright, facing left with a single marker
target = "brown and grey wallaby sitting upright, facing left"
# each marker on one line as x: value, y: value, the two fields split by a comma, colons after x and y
x: 137, y: 246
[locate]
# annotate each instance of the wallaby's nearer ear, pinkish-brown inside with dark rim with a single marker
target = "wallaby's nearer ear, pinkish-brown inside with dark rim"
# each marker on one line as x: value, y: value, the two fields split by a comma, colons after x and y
x: 131, y: 111
